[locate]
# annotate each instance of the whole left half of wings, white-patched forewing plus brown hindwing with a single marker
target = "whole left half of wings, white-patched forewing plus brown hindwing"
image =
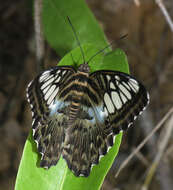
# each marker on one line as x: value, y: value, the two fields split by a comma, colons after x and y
x: 47, y: 112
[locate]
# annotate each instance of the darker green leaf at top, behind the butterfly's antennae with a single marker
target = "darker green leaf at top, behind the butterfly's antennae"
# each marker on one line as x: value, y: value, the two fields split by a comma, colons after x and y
x: 58, y: 31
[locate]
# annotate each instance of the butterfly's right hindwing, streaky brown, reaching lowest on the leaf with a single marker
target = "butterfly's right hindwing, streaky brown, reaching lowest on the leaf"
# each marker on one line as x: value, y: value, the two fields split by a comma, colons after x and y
x: 85, y: 141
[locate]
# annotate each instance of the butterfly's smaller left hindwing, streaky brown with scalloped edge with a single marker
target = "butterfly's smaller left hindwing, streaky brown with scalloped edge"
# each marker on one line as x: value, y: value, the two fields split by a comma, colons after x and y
x: 49, y: 136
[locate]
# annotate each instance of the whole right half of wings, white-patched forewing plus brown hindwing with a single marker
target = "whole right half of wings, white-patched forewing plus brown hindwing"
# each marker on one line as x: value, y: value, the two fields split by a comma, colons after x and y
x: 110, y: 104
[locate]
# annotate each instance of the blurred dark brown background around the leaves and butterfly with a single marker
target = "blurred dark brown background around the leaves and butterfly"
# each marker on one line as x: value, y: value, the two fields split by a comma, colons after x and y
x: 149, y: 47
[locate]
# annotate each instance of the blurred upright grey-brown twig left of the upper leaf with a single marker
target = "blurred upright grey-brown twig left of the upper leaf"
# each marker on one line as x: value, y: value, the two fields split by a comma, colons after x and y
x: 39, y: 34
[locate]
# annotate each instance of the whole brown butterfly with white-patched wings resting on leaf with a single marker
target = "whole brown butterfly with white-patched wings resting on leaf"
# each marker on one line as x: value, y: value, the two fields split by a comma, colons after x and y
x: 77, y: 114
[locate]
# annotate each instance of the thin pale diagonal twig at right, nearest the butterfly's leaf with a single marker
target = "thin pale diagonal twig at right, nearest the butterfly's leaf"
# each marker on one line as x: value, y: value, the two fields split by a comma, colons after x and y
x: 144, y: 141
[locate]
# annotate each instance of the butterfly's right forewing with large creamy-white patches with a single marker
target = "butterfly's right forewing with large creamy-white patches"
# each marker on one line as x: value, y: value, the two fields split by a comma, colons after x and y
x: 124, y: 98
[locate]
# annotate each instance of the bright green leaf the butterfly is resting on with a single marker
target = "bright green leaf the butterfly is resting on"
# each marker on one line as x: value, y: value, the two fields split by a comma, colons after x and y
x: 60, y: 177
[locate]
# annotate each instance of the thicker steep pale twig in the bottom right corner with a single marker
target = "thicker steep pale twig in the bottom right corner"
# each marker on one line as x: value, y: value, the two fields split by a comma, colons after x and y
x: 161, y: 149
